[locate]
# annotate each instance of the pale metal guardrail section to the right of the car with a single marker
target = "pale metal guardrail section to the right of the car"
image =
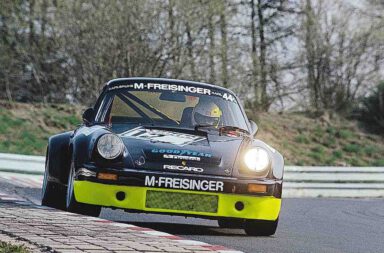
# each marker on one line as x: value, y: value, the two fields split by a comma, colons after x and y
x: 333, y: 181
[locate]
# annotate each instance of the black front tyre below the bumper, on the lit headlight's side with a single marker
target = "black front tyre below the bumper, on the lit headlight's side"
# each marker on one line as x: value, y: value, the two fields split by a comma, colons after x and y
x: 260, y: 227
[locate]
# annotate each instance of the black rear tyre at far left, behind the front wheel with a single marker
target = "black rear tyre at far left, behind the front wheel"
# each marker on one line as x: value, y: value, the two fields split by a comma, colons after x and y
x: 52, y: 194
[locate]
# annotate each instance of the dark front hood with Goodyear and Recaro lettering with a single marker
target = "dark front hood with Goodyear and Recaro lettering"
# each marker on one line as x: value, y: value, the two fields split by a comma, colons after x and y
x: 181, y: 152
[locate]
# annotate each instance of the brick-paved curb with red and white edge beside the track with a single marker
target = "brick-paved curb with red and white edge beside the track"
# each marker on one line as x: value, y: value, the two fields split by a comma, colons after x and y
x: 22, y: 220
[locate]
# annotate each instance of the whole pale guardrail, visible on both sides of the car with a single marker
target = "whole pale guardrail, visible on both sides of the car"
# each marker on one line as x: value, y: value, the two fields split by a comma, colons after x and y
x: 298, y: 181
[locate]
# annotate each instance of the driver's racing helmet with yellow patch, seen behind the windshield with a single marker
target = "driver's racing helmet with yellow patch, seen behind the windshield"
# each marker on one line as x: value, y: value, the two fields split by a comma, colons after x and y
x: 206, y: 113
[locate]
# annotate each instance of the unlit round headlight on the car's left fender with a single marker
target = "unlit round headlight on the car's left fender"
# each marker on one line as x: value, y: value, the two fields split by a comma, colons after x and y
x: 110, y: 146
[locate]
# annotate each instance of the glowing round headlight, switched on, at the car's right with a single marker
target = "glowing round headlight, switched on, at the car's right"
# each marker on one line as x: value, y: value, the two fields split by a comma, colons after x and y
x: 257, y: 159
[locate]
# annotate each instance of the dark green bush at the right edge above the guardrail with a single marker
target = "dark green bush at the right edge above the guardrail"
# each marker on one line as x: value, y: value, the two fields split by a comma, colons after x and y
x: 372, y: 110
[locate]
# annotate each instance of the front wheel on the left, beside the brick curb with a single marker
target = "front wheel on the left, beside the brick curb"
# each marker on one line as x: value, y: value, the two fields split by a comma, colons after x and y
x: 71, y: 204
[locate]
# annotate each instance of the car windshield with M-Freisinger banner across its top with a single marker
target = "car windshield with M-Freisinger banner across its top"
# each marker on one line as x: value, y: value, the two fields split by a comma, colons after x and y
x: 168, y: 105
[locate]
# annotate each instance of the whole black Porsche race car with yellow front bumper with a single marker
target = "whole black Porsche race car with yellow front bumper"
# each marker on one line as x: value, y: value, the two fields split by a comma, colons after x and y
x: 169, y: 147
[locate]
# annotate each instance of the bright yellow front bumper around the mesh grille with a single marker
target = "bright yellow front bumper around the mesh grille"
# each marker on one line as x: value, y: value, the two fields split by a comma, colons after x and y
x: 255, y: 207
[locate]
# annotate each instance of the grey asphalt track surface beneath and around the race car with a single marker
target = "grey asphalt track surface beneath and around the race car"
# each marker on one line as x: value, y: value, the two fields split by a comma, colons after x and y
x: 306, y: 225
